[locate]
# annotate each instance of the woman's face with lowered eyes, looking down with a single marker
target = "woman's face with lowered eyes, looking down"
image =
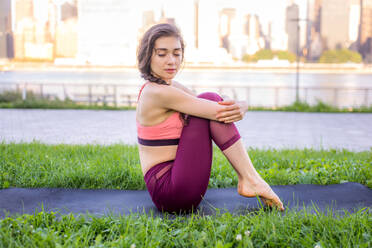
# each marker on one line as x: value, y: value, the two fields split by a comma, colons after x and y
x: 166, y: 58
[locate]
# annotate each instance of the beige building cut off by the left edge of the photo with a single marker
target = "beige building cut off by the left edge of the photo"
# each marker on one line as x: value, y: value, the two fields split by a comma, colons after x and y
x: 6, y: 36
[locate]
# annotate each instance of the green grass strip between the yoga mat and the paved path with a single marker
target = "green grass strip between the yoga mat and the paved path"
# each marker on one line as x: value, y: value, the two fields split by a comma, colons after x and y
x: 118, y: 166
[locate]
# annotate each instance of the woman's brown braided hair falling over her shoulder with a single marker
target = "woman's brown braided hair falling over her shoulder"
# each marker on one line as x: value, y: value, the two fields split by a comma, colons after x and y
x: 146, y: 47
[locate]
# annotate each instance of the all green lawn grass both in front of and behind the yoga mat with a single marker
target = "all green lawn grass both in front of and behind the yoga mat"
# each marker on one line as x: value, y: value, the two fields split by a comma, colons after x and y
x: 117, y: 167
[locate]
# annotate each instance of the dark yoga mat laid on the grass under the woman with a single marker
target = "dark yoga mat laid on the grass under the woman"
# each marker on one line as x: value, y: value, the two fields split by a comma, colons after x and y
x: 318, y: 198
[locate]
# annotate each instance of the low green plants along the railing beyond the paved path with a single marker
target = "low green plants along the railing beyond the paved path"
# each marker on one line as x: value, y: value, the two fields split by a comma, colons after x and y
x: 10, y: 99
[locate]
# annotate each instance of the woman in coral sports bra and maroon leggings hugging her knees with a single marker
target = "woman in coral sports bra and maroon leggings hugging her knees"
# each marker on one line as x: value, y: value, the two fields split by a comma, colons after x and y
x: 175, y: 130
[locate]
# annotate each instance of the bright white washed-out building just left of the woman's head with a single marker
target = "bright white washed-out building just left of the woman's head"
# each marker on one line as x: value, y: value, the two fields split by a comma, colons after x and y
x: 108, y: 31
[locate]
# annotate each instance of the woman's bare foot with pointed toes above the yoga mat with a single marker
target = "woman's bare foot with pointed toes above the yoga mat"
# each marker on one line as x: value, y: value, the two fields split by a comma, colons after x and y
x: 261, y: 189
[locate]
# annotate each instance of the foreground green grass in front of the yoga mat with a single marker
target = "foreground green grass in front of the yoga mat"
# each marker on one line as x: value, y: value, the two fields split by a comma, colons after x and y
x: 259, y: 229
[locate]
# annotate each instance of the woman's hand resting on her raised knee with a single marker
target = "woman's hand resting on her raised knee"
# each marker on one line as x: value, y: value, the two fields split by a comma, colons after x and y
x: 234, y: 111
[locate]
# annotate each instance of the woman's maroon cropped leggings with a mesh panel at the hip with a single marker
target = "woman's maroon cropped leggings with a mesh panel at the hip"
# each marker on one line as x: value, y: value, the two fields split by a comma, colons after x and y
x: 180, y: 184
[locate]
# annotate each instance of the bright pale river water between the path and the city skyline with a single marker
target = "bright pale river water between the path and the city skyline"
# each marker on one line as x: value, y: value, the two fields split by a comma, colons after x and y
x: 340, y: 87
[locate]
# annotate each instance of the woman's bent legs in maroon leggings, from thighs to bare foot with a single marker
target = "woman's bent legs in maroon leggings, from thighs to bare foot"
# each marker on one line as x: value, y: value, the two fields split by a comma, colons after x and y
x: 186, y: 182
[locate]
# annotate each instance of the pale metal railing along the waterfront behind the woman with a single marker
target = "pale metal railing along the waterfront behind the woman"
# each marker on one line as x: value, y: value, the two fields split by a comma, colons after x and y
x: 265, y: 96
